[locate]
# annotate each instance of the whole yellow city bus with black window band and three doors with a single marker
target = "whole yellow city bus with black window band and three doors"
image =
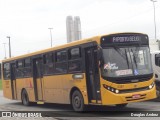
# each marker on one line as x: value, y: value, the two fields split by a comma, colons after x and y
x: 113, y: 69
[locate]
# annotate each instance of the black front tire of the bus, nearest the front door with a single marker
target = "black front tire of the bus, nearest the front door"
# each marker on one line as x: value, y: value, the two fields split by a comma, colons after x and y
x: 77, y: 101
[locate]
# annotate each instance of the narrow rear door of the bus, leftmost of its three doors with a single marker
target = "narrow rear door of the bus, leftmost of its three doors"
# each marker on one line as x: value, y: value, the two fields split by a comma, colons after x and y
x: 13, y: 80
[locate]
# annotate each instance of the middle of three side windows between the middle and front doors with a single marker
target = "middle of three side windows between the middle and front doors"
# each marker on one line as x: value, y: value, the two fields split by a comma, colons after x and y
x: 61, y: 61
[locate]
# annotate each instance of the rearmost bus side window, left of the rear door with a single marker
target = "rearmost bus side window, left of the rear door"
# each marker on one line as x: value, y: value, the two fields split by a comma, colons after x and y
x: 6, y: 71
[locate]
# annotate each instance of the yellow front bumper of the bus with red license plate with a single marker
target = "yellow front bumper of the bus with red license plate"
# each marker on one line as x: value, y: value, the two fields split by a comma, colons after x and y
x: 110, y: 98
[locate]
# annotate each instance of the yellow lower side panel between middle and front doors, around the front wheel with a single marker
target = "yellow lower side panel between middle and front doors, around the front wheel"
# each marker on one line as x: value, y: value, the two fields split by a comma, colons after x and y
x: 57, y: 88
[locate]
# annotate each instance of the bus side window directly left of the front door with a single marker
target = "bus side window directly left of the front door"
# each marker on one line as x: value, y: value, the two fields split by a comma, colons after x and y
x: 75, y: 63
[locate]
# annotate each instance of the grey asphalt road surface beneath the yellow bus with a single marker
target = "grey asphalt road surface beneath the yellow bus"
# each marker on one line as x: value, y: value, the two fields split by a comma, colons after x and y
x: 62, y: 112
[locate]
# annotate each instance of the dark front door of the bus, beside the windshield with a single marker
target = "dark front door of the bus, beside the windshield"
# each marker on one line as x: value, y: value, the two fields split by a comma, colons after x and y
x: 92, y: 75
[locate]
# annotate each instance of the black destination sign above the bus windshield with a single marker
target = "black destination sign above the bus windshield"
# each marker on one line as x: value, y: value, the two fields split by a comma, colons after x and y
x: 124, y: 39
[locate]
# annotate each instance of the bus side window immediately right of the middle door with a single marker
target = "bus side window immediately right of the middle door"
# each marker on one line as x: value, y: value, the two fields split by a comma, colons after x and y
x: 48, y: 63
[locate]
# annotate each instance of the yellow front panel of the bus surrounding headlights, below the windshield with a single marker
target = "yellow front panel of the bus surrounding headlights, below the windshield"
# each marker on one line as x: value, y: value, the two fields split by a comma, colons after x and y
x: 126, y: 97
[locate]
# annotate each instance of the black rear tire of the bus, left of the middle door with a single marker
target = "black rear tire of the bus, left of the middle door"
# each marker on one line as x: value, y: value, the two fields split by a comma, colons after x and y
x: 25, y: 98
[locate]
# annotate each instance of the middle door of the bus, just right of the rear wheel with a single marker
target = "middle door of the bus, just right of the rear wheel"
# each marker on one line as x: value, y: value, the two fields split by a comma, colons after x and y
x: 38, y: 78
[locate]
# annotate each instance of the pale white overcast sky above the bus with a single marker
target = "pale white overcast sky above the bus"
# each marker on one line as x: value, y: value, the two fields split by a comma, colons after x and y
x: 27, y: 21
